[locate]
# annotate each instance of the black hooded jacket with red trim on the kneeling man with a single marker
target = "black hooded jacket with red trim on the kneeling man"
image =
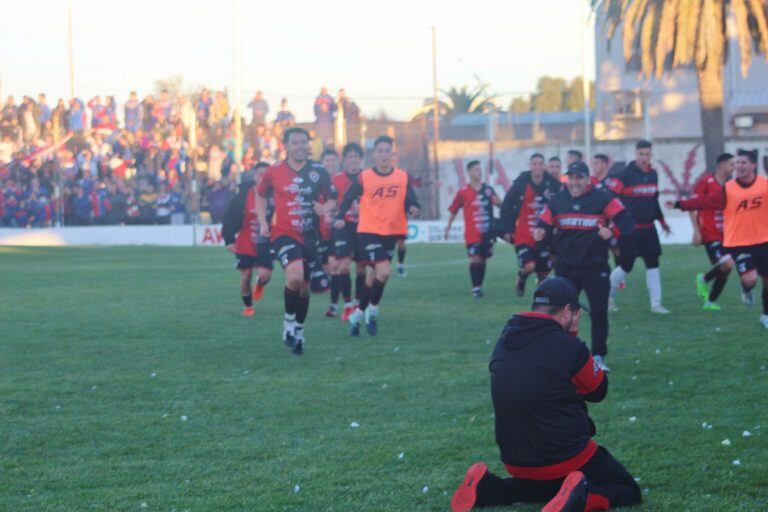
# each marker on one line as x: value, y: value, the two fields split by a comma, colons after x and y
x: 540, y: 379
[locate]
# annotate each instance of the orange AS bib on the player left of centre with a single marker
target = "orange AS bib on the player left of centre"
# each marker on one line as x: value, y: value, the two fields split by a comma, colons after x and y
x: 382, y: 203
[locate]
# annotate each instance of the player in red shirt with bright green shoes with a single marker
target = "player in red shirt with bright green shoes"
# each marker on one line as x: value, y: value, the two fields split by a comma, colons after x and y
x: 709, y: 230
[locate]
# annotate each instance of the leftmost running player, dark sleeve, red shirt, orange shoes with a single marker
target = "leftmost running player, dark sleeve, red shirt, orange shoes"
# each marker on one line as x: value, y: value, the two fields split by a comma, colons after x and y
x: 241, y: 231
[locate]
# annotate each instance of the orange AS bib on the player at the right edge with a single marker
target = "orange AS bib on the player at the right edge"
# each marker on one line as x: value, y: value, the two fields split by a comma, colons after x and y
x: 745, y: 217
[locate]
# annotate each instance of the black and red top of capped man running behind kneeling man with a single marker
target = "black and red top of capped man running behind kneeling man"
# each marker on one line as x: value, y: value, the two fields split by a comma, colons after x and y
x: 573, y: 223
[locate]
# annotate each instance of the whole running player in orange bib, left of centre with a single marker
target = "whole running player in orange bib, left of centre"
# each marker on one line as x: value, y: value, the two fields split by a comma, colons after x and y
x: 386, y: 197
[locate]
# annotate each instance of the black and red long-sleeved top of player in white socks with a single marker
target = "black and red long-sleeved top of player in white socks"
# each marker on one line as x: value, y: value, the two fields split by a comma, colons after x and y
x: 639, y: 191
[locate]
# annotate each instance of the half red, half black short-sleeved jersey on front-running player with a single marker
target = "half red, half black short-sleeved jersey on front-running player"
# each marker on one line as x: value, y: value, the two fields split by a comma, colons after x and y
x: 295, y: 193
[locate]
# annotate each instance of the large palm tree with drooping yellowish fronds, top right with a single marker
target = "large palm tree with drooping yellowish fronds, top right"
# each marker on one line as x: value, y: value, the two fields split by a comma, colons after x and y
x: 660, y: 35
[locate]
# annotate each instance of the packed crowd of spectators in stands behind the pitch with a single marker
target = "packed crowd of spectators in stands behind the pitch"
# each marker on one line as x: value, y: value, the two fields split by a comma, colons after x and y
x: 158, y: 160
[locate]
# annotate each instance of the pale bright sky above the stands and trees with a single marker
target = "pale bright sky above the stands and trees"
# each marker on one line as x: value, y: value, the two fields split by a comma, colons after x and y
x: 379, y: 52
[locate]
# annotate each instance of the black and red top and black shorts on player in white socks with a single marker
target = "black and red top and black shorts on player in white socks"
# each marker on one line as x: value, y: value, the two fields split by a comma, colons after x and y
x: 638, y: 189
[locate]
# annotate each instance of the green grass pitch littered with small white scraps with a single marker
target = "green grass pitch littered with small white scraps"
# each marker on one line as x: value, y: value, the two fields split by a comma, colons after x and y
x: 129, y: 381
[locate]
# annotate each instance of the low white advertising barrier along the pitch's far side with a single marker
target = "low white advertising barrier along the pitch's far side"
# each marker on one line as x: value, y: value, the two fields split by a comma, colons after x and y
x: 210, y: 235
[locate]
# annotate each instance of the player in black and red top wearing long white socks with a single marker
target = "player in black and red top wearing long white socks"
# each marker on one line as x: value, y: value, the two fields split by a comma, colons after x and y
x: 638, y: 188
